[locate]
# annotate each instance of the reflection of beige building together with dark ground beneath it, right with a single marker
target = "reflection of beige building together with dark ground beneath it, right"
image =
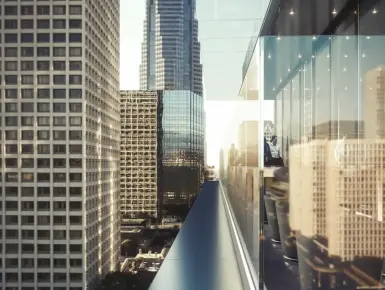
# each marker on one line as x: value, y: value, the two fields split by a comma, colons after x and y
x: 337, y: 209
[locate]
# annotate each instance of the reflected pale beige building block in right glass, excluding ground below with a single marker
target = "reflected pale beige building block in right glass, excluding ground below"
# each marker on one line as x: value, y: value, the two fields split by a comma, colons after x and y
x: 336, y: 192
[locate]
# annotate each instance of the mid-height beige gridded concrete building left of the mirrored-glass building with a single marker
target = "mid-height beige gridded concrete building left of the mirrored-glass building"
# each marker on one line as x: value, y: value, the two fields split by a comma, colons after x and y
x: 139, y: 153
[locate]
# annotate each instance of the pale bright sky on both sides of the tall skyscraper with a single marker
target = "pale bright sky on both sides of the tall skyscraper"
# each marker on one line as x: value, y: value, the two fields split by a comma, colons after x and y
x: 225, y: 28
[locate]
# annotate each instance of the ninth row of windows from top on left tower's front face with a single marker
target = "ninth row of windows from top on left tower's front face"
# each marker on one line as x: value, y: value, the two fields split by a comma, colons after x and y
x: 42, y: 121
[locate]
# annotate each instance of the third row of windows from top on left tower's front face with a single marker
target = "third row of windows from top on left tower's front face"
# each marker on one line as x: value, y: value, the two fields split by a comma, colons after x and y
x: 42, y: 37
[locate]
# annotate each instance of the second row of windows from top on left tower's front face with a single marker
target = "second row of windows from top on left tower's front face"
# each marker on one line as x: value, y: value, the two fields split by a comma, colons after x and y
x: 42, y: 24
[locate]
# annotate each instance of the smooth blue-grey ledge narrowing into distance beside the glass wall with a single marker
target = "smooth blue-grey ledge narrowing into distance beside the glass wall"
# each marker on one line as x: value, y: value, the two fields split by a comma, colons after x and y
x: 202, y: 256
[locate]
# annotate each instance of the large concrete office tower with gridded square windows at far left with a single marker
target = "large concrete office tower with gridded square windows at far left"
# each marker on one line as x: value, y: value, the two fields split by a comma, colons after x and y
x: 60, y: 143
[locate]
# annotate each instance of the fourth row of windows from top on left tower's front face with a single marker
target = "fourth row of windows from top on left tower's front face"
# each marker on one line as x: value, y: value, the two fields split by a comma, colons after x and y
x: 60, y: 51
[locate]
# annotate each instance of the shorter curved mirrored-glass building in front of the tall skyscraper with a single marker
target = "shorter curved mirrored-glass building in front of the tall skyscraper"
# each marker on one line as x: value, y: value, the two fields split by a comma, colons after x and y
x: 183, y: 147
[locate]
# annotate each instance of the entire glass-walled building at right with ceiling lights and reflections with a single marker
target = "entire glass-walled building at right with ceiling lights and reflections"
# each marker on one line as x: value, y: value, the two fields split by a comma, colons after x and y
x: 322, y: 64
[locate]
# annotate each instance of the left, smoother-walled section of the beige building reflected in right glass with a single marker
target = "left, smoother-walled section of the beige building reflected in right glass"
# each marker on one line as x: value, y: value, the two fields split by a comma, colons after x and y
x: 307, y: 188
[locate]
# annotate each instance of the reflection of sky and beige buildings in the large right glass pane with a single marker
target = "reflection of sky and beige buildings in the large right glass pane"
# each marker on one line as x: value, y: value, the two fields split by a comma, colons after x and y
x: 335, y: 194
